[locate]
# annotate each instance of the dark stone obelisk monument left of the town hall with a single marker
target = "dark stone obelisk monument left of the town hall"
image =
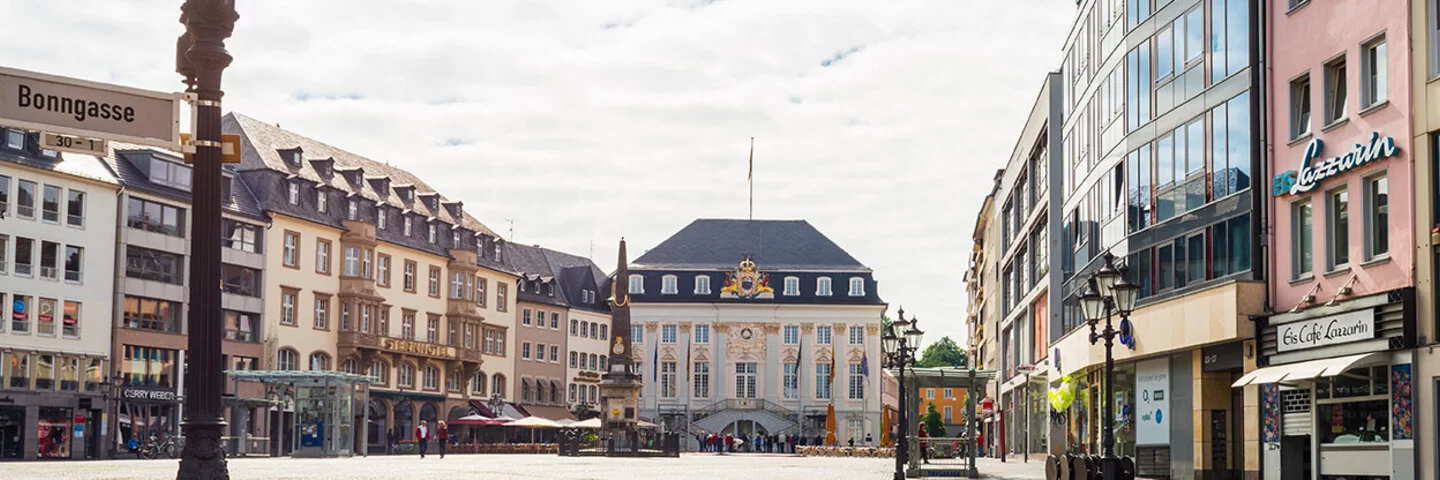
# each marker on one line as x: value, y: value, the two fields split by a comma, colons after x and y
x: 621, y: 386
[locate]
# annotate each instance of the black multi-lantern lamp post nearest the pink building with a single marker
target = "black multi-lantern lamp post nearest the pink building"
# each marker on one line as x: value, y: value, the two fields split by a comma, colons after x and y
x: 1108, y: 295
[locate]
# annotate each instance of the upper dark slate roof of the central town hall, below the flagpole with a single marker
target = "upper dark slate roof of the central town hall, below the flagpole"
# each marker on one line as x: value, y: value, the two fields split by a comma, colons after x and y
x: 708, y: 244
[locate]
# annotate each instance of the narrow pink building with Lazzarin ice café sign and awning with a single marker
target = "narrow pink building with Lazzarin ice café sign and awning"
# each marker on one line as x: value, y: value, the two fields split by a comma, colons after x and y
x: 1336, y: 355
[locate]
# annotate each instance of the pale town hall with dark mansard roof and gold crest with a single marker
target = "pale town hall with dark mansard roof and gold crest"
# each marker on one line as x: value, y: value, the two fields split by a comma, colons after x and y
x: 757, y: 328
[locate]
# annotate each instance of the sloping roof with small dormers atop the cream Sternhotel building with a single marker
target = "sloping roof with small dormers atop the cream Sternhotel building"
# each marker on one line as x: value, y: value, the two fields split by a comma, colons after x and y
x: 261, y: 146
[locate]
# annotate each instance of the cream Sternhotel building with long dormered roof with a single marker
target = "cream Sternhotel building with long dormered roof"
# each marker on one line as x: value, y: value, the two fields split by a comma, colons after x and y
x: 372, y: 270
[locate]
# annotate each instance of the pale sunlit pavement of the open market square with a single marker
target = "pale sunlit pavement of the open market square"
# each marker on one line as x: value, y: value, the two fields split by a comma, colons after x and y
x: 689, y: 466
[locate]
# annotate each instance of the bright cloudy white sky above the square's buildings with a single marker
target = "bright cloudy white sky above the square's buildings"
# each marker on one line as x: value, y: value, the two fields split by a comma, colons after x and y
x: 882, y: 123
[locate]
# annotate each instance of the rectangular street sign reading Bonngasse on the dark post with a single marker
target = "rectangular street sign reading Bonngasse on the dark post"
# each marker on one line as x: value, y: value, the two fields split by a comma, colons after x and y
x: 93, y: 110
